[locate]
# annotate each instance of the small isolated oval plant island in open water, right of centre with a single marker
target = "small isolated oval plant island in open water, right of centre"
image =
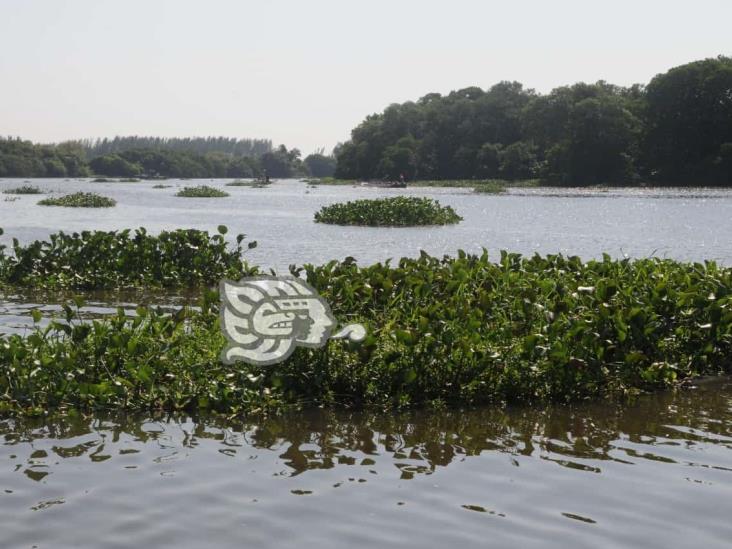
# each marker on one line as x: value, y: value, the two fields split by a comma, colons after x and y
x: 397, y: 211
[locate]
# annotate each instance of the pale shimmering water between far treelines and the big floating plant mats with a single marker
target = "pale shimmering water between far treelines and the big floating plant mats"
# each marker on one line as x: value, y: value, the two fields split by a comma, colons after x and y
x: 686, y: 224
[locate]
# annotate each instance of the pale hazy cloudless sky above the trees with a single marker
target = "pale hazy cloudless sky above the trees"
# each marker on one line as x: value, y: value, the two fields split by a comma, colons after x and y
x: 305, y: 72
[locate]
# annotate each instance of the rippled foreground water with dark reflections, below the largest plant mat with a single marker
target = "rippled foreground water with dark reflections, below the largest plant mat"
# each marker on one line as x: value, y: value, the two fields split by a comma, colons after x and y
x: 656, y: 472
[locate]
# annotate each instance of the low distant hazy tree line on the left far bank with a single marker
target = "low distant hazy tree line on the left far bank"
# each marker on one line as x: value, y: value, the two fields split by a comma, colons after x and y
x: 20, y: 158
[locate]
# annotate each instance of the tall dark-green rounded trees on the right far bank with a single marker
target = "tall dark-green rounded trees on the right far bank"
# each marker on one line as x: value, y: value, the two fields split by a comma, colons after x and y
x: 677, y: 130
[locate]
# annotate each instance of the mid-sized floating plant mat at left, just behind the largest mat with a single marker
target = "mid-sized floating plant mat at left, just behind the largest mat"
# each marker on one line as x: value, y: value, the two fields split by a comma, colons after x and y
x: 114, y: 259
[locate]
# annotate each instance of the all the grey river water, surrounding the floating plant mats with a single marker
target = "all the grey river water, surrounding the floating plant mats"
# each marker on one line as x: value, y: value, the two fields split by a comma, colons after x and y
x: 655, y: 472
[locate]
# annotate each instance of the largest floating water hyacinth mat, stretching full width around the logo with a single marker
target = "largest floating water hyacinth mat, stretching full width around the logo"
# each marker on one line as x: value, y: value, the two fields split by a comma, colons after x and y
x: 458, y: 330
